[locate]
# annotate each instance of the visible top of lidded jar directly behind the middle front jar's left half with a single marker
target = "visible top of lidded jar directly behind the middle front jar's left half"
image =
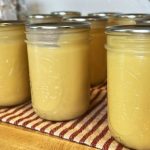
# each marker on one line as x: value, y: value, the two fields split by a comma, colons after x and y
x: 43, y: 18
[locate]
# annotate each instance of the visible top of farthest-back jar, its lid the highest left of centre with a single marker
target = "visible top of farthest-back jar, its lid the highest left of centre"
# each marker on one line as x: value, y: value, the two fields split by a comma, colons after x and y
x: 66, y: 14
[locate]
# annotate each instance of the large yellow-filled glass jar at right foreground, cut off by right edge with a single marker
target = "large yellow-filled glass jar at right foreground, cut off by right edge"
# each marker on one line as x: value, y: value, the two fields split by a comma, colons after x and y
x: 128, y: 58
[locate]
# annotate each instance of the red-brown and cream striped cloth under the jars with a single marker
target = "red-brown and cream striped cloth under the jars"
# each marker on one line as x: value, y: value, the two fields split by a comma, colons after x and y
x: 90, y: 129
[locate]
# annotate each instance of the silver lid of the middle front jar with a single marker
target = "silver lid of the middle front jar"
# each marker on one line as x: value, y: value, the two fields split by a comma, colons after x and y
x: 59, y: 25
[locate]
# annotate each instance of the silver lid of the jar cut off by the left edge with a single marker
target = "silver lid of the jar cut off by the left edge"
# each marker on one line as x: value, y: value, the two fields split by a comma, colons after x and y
x: 10, y: 23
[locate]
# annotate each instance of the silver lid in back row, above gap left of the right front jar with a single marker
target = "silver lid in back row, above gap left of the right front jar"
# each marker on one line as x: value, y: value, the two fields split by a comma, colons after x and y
x: 104, y: 14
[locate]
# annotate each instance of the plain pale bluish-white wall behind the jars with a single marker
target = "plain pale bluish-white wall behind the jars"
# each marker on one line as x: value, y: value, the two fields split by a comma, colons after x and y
x: 85, y: 6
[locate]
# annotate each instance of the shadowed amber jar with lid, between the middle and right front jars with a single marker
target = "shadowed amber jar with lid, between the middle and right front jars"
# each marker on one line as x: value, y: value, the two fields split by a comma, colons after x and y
x: 97, y: 51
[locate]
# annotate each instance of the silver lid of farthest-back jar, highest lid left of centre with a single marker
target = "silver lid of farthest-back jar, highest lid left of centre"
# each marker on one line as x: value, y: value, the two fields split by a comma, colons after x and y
x: 63, y: 13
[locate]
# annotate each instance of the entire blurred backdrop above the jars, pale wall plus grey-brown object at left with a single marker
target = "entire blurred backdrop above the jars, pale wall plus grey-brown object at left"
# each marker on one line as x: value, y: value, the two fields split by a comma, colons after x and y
x: 12, y: 9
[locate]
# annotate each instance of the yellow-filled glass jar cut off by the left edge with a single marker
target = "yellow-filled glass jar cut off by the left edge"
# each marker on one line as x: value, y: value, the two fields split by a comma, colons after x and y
x: 14, y: 80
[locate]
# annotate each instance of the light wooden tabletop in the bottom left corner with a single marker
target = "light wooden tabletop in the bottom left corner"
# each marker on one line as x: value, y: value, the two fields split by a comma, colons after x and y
x: 18, y: 138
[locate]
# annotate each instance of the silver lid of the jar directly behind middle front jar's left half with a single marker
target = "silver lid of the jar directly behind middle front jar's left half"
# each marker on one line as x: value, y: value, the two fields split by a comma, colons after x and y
x: 41, y: 16
